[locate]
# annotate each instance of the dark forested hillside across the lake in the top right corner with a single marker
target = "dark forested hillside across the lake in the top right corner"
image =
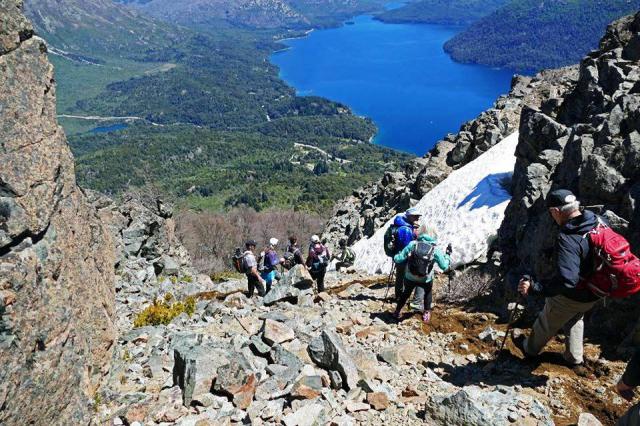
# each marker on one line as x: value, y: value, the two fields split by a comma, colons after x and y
x: 528, y: 35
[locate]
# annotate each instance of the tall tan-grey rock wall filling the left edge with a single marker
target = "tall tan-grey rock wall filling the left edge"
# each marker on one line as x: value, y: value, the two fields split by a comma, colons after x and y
x: 56, y: 257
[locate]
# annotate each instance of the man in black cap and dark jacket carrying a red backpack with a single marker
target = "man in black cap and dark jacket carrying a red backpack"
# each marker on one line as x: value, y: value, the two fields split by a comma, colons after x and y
x: 592, y: 262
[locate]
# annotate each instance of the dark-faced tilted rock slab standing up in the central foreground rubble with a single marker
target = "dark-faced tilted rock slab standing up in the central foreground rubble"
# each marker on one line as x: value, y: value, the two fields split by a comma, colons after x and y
x: 329, y: 353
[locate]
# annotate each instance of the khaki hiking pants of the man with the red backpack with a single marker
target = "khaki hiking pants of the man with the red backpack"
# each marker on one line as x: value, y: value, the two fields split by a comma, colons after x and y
x: 560, y: 312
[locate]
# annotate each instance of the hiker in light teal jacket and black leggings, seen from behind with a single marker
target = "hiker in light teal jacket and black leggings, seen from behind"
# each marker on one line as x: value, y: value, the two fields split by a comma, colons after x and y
x: 412, y: 281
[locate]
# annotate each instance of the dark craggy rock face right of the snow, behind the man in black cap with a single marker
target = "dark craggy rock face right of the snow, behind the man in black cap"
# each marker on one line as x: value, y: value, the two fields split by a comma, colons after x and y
x: 590, y: 144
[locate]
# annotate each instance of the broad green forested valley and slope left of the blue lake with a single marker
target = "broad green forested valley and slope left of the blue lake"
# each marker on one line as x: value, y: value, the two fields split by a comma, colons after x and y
x: 207, y: 119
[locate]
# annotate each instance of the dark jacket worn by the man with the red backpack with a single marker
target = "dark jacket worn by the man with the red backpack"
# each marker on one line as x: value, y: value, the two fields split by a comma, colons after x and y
x: 574, y: 260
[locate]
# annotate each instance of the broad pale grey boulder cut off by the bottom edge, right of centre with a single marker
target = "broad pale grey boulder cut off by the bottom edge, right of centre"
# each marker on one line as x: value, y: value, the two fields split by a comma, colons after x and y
x: 474, y: 406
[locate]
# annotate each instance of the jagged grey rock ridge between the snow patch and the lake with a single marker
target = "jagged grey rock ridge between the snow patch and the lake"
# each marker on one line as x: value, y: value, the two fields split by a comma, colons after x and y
x: 369, y: 208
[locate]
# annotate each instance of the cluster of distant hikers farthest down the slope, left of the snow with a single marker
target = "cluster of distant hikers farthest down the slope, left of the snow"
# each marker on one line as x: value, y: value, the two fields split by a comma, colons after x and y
x: 262, y: 270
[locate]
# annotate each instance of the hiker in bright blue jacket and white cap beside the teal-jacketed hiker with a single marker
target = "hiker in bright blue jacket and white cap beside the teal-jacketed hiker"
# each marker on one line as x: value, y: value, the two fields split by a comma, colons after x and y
x: 397, y: 238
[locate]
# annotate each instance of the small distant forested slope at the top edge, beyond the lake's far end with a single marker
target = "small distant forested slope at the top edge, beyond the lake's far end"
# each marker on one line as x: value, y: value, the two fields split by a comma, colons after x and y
x: 448, y: 12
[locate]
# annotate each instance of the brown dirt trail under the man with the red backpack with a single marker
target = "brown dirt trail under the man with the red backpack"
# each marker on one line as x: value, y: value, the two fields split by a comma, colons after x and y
x: 556, y: 385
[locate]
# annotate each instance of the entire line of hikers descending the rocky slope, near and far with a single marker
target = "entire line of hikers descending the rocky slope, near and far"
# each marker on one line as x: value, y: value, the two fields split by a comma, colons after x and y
x: 592, y: 263
